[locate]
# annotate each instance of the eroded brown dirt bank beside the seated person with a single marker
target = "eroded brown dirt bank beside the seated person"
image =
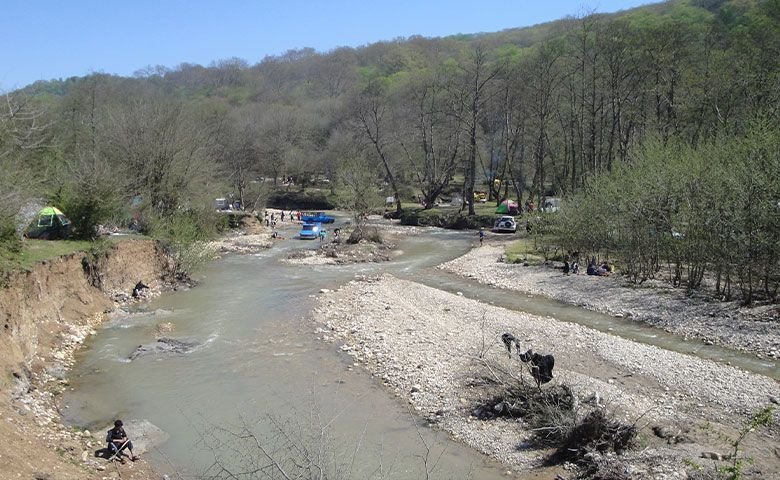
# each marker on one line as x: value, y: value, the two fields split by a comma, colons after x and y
x: 46, y: 314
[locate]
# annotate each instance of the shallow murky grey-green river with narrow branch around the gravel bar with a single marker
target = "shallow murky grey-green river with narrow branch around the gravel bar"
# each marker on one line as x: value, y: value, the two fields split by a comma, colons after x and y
x: 258, y: 360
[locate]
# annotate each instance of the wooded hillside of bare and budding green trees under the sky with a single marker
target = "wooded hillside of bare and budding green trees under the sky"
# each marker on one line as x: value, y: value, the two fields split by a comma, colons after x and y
x: 524, y: 114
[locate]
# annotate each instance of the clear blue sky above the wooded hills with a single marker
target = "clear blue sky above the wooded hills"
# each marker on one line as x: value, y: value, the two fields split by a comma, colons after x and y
x: 45, y: 39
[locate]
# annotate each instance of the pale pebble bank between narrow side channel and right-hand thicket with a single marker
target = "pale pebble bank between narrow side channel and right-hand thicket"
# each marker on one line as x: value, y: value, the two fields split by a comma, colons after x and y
x: 753, y: 330
